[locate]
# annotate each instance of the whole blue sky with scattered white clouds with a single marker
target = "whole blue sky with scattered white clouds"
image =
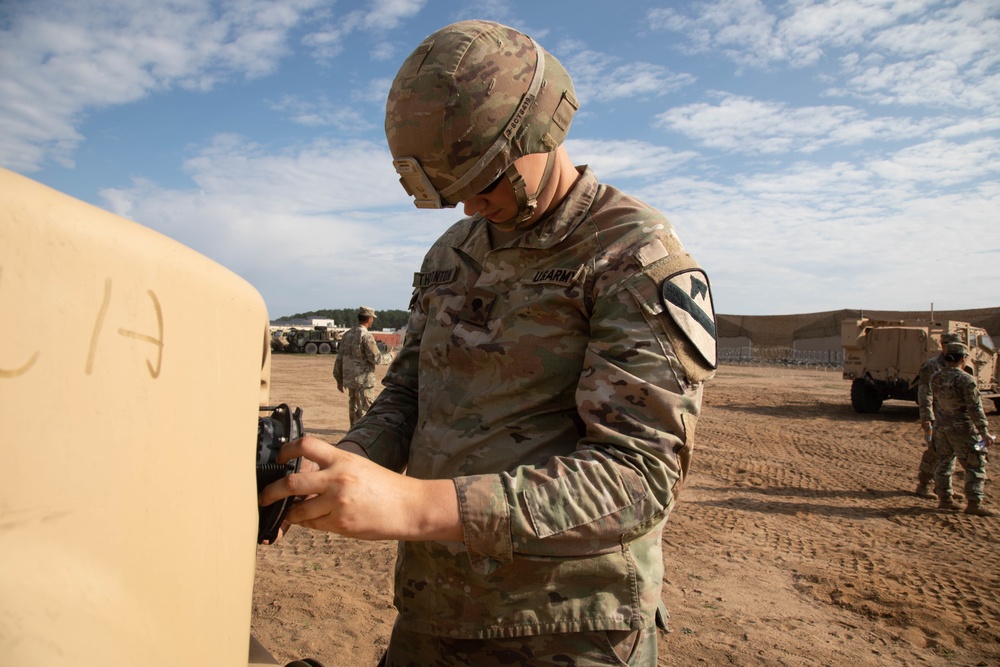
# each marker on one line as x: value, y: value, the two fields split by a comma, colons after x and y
x: 812, y: 154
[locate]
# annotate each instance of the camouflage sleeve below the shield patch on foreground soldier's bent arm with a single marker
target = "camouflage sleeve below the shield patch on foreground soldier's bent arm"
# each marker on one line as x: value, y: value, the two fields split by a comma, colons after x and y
x: 639, y: 409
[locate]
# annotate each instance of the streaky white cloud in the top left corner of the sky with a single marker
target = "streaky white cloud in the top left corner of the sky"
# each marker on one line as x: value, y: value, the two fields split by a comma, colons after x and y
x: 59, y: 60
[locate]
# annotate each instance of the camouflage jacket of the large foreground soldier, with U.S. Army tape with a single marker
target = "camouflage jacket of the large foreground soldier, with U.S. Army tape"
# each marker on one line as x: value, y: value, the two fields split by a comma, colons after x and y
x: 547, y: 378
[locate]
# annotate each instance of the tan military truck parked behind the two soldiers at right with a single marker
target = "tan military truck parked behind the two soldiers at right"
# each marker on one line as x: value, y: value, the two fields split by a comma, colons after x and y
x: 882, y: 358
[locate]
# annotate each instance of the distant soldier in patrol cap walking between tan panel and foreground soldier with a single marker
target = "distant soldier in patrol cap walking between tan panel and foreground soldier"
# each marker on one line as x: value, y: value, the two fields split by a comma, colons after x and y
x: 354, y: 368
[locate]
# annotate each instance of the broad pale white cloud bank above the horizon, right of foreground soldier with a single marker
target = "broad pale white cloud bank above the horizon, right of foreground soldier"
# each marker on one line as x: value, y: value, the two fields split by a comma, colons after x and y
x: 812, y: 237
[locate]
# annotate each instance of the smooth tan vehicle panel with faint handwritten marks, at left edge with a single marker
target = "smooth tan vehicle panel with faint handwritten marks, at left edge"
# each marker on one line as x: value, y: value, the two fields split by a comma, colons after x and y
x: 131, y: 370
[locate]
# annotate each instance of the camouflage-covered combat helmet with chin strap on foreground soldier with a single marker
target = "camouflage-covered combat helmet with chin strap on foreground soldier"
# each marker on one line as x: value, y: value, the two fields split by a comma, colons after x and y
x: 470, y: 100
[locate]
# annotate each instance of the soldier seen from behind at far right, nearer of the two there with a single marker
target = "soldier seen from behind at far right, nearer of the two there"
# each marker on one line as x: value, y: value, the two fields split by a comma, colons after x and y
x: 960, y: 424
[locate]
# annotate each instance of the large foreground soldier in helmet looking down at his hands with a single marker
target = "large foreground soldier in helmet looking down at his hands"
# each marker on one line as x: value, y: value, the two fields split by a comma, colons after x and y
x: 545, y: 400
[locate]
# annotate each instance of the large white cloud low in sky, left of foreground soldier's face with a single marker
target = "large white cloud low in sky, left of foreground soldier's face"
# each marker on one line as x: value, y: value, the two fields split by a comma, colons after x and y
x: 301, y: 225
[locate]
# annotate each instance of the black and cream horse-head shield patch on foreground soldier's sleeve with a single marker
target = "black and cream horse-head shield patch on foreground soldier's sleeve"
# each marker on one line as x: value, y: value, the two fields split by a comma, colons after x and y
x: 688, y: 299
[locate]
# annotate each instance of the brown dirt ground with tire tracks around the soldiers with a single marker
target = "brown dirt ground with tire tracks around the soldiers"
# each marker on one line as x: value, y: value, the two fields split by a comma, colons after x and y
x: 797, y: 541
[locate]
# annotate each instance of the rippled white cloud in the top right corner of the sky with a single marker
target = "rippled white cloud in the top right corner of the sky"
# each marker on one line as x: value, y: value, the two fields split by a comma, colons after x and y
x: 913, y: 52
